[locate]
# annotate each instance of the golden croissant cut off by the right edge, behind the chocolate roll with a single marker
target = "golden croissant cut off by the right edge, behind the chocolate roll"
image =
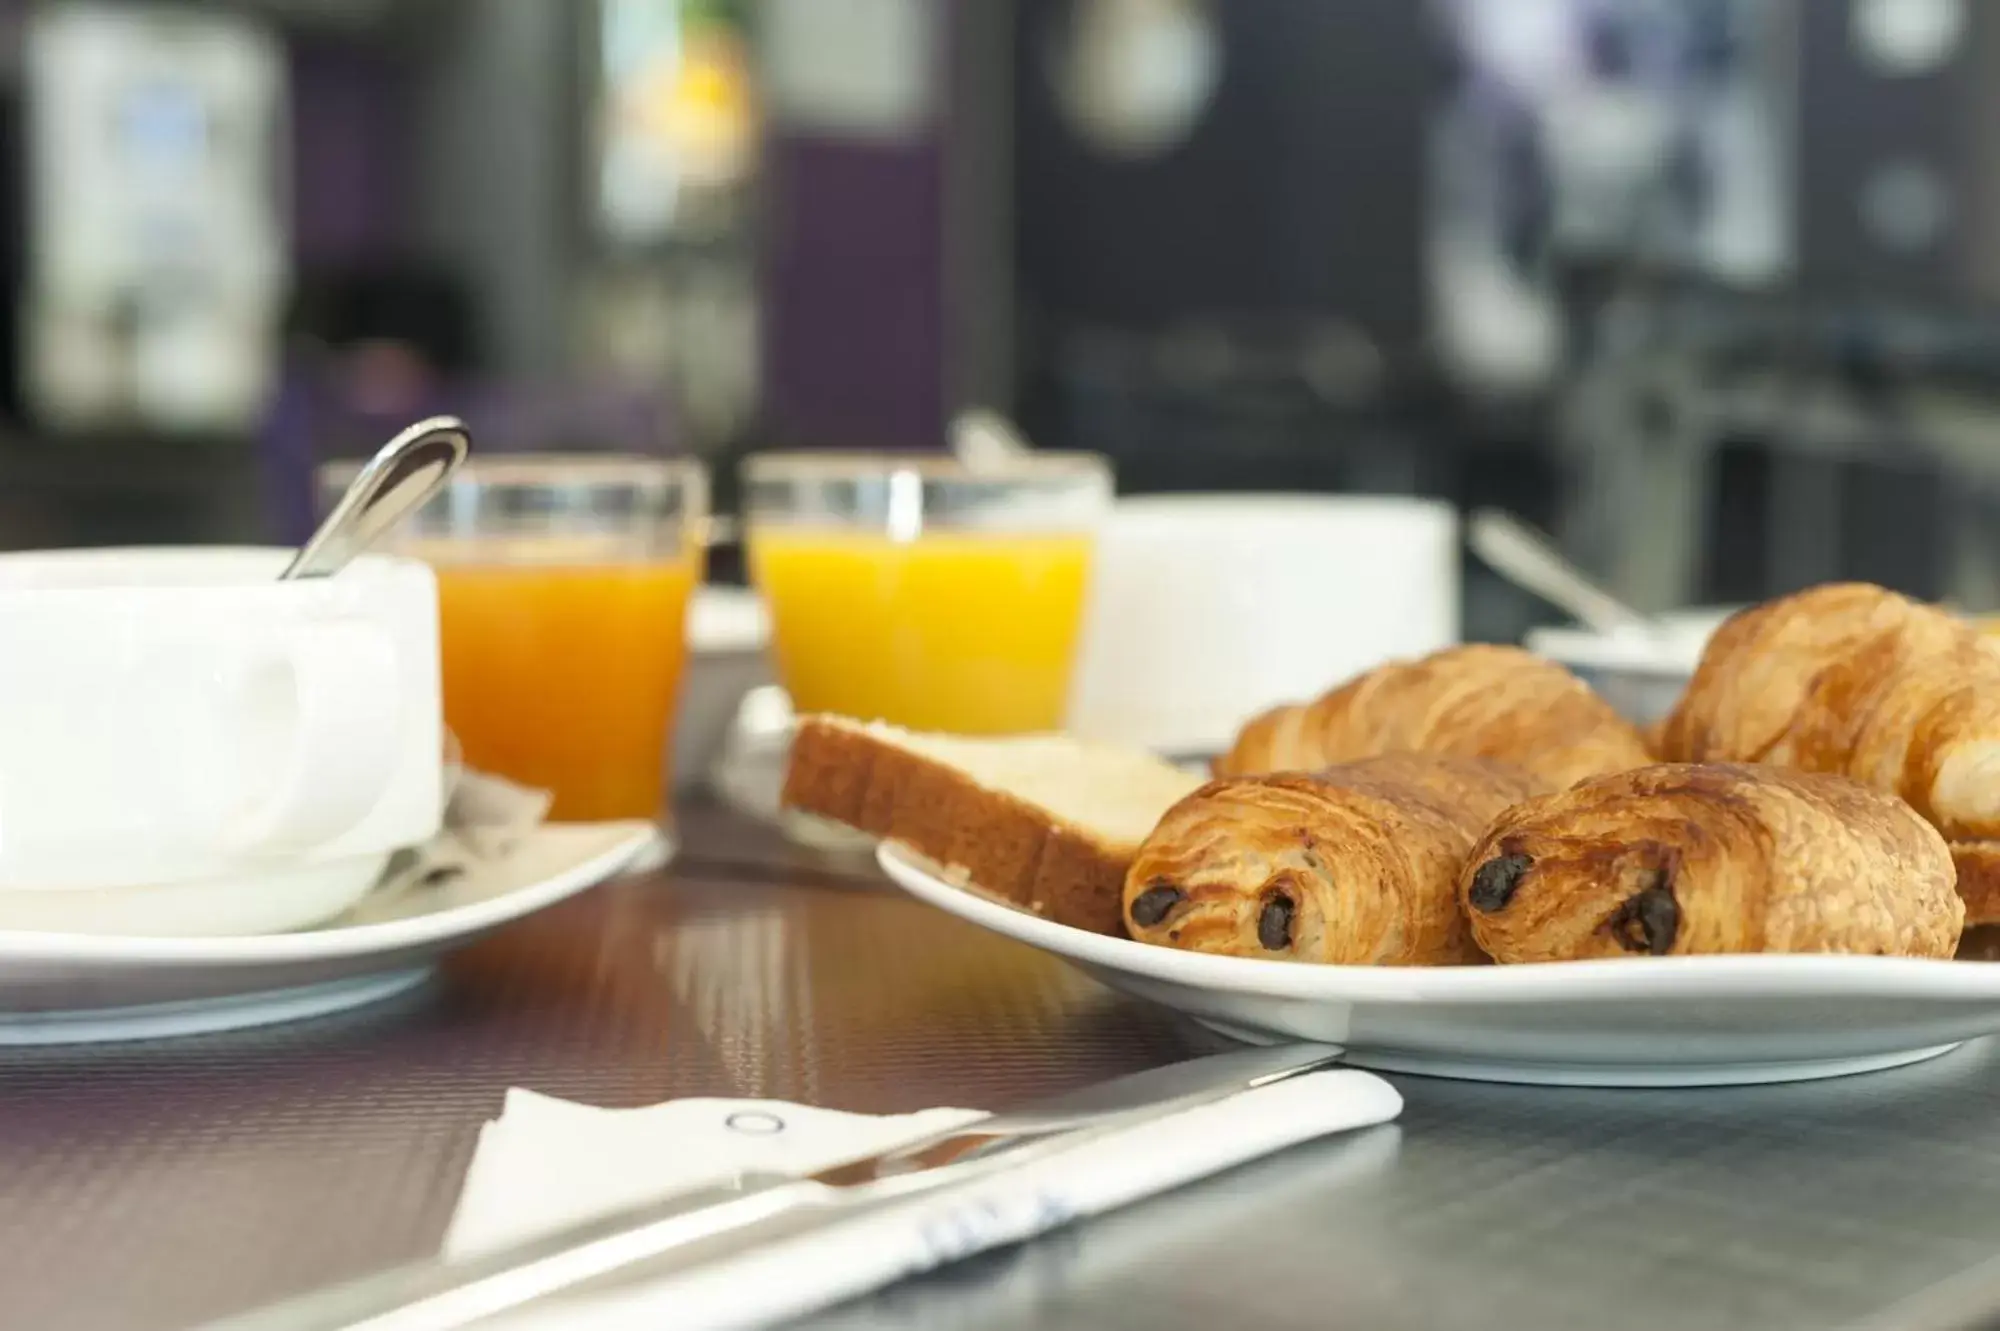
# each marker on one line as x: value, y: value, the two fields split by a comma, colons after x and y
x: 1857, y: 680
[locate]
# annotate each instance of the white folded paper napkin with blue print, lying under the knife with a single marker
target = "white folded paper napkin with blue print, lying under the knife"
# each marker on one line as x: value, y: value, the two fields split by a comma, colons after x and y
x: 545, y: 1164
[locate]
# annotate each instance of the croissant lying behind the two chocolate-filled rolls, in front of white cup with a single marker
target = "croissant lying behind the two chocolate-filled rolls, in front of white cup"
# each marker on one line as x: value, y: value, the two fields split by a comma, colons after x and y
x: 1473, y: 702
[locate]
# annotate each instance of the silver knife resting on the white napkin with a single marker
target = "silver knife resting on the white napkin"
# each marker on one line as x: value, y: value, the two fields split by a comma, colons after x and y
x: 447, y: 1296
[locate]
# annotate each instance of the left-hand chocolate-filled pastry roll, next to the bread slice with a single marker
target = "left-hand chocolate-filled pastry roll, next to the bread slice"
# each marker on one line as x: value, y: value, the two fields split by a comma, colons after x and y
x: 1355, y: 864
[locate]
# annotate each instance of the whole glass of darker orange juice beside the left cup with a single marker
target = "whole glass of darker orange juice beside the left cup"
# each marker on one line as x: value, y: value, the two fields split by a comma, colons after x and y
x: 563, y: 595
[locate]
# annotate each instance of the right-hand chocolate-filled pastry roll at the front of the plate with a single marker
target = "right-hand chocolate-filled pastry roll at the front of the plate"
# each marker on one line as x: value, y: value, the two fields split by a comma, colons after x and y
x: 1711, y: 858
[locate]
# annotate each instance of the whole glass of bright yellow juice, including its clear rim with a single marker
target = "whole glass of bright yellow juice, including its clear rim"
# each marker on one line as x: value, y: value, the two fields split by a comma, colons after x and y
x: 921, y: 593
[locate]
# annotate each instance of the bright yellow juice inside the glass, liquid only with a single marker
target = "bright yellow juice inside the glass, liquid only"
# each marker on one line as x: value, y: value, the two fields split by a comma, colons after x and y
x: 969, y: 633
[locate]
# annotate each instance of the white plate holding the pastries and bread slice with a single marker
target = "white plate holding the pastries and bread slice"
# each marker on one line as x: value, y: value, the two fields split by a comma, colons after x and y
x: 1627, y: 1022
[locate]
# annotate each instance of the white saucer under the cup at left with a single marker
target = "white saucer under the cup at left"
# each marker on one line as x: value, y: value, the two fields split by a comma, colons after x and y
x: 73, y: 988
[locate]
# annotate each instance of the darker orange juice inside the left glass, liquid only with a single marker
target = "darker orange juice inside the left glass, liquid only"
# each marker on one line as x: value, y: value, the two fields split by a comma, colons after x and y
x: 565, y: 676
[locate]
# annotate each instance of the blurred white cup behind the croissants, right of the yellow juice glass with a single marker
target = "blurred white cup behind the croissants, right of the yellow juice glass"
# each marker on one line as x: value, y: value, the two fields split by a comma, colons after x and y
x: 1211, y: 609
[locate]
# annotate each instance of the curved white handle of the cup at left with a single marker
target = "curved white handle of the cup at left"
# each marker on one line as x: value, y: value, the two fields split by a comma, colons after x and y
x: 345, y: 744
